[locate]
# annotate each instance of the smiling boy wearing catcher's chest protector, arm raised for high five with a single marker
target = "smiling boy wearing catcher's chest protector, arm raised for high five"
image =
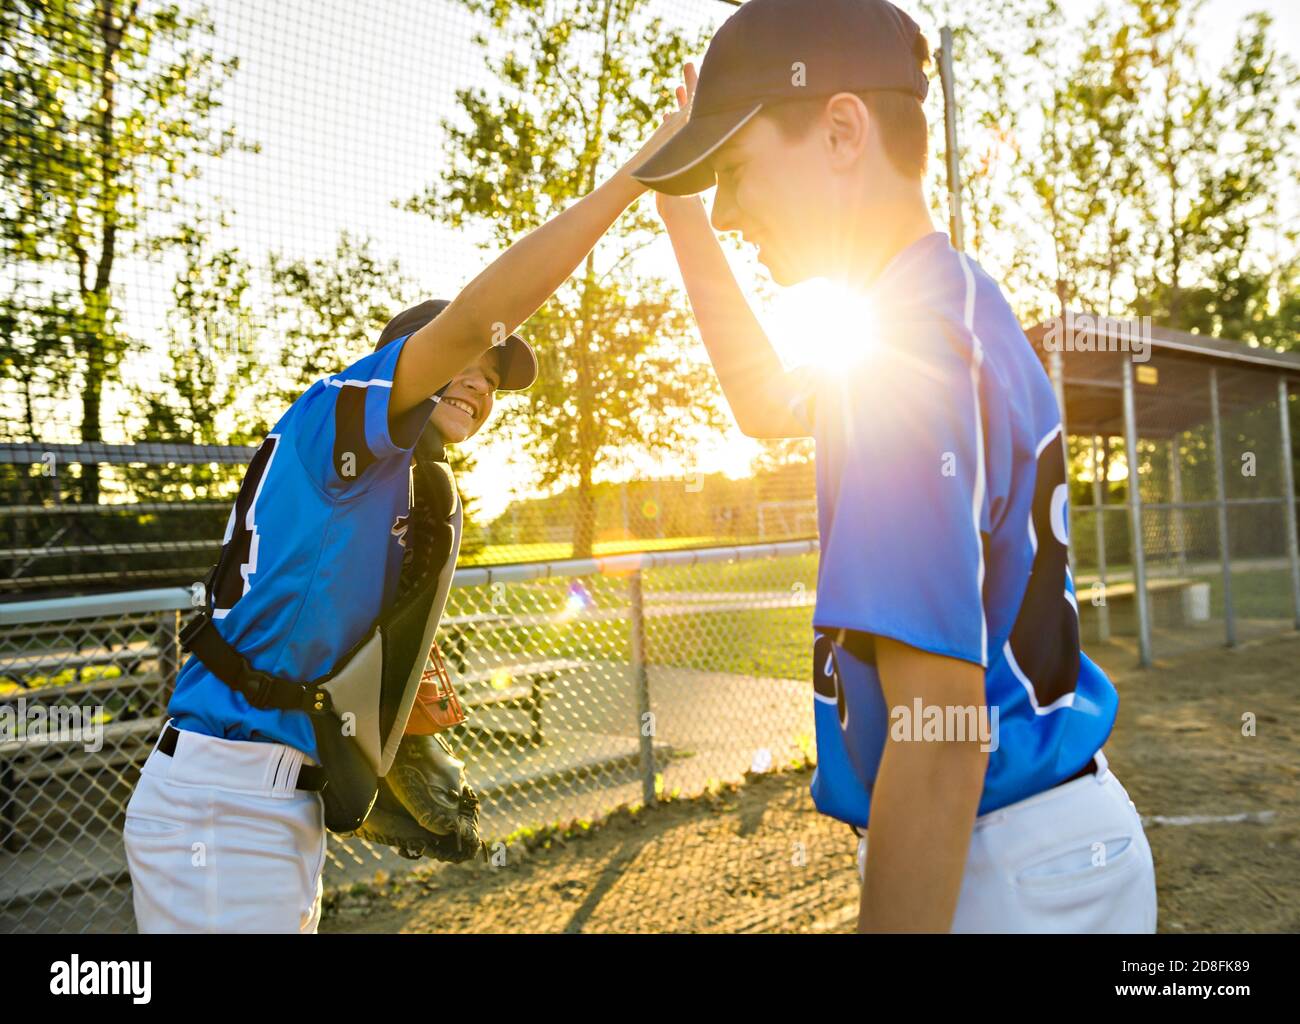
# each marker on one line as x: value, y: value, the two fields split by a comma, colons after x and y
x: 226, y: 831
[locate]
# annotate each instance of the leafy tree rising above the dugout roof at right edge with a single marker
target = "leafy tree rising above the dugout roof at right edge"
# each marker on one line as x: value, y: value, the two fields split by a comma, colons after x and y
x: 1160, y: 183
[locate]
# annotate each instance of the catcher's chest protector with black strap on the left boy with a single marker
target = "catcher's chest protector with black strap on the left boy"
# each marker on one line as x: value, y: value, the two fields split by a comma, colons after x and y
x: 361, y: 708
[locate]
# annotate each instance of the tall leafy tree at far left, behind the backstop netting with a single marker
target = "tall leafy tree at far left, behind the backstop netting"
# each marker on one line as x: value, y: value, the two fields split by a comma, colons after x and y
x: 109, y: 107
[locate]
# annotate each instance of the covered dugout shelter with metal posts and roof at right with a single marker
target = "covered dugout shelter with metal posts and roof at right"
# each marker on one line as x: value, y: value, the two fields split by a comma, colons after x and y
x: 1204, y: 550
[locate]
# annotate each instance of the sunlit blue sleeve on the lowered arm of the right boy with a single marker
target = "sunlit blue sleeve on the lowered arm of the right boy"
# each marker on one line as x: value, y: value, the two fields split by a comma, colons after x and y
x: 905, y: 558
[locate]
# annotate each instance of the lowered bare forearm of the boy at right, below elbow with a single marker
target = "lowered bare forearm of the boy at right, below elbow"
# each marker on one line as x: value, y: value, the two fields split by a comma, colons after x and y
x: 924, y: 809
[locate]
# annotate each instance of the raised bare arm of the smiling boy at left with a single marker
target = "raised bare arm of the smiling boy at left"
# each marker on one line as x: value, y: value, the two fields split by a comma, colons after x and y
x: 515, y: 285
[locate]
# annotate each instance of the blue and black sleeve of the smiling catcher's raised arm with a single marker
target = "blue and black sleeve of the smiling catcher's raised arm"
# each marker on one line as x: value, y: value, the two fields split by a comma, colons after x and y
x: 340, y: 426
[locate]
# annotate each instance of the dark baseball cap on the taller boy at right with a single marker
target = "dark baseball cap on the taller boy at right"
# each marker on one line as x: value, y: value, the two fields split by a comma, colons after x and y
x: 773, y: 51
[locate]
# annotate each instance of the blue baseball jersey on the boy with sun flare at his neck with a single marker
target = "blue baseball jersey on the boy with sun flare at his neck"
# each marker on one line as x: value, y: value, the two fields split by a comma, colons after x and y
x: 942, y: 505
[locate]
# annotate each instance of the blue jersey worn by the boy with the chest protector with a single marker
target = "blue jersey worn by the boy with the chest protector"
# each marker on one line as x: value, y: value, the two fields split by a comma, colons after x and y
x: 313, y: 549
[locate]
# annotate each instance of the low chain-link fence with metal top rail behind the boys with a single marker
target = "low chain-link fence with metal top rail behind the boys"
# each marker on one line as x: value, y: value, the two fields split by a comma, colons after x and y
x: 591, y: 684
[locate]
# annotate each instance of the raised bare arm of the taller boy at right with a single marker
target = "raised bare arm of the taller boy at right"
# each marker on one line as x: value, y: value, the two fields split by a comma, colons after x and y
x: 764, y: 397
